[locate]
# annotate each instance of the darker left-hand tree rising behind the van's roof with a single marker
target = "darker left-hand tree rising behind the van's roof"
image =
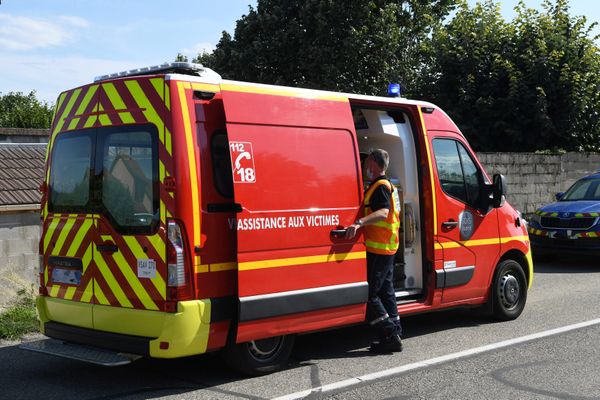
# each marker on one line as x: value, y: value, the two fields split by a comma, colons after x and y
x: 357, y: 46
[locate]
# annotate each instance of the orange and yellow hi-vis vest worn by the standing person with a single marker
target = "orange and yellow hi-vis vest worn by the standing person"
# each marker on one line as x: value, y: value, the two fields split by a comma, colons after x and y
x: 382, y: 237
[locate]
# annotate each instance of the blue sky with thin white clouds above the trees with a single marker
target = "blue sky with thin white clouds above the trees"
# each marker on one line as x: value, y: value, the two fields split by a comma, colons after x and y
x: 52, y: 45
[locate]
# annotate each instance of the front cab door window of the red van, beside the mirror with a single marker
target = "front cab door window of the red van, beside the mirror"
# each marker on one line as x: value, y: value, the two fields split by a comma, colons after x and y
x: 457, y: 172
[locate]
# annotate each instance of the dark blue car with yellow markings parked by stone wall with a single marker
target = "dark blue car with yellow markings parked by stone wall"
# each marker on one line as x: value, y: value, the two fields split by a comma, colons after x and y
x: 572, y: 223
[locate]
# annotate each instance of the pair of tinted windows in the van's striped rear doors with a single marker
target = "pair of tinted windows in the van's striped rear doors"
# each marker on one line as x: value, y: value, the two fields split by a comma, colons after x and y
x: 111, y: 171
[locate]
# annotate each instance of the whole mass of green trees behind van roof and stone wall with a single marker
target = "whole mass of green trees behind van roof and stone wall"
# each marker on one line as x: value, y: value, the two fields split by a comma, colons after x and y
x: 529, y: 84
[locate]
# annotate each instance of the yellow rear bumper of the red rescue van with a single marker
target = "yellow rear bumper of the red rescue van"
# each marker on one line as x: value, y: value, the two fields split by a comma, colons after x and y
x: 149, y: 333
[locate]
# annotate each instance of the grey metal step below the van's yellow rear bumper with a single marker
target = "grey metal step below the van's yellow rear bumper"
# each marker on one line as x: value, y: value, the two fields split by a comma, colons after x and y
x: 79, y: 352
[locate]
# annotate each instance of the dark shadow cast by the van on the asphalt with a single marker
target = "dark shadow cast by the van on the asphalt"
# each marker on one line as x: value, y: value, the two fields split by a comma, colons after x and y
x: 56, y: 378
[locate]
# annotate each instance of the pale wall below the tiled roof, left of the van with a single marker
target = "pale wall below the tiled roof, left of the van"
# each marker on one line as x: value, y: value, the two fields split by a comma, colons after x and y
x: 19, y: 236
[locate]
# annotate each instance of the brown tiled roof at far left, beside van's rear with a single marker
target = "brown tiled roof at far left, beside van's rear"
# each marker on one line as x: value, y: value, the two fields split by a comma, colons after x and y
x: 21, y: 173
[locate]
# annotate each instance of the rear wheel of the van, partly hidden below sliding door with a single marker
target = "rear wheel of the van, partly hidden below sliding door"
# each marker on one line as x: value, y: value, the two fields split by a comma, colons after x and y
x: 259, y: 357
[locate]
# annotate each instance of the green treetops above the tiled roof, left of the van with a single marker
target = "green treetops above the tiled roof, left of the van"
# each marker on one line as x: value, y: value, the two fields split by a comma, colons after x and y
x: 24, y: 111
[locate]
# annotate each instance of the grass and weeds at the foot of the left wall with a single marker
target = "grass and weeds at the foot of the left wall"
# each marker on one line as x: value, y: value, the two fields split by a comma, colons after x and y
x: 20, y: 318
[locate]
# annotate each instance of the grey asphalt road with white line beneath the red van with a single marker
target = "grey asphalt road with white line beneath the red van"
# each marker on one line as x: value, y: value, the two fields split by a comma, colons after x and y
x: 565, y: 365
